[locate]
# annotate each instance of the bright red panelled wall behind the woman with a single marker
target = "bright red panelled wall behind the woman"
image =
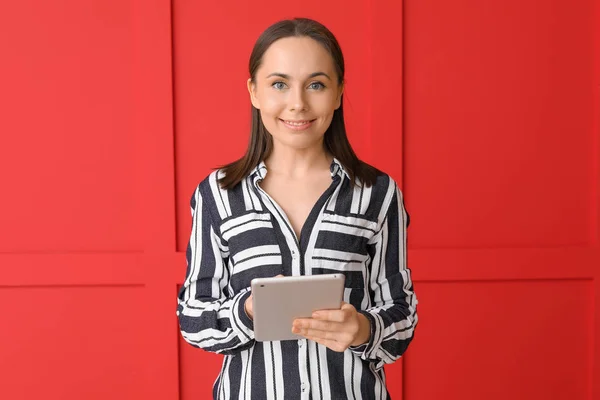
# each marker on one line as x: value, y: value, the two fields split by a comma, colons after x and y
x: 486, y: 113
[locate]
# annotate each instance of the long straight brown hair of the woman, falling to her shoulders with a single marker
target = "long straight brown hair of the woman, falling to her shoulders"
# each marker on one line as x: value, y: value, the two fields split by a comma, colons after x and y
x: 335, y: 140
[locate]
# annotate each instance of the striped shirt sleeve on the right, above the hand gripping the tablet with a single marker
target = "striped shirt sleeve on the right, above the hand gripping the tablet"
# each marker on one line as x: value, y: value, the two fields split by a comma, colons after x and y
x: 393, y: 317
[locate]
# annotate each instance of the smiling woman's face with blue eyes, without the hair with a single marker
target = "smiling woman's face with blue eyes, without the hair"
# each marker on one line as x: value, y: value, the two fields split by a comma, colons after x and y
x: 296, y: 91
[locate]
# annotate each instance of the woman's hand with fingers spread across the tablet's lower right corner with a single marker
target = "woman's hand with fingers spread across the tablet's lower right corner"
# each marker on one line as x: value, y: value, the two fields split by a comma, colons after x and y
x: 335, y: 329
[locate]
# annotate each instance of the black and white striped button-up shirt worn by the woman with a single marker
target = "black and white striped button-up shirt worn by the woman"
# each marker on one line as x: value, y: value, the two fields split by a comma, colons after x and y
x: 242, y: 233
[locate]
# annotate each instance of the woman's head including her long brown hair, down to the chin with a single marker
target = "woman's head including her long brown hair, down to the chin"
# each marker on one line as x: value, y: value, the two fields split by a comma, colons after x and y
x: 296, y: 85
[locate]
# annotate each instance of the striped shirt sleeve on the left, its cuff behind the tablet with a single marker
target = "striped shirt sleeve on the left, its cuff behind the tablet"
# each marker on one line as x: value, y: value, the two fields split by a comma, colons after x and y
x: 210, y: 317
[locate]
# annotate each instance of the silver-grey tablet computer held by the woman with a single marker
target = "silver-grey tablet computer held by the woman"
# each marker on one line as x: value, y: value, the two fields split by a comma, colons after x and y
x: 276, y: 302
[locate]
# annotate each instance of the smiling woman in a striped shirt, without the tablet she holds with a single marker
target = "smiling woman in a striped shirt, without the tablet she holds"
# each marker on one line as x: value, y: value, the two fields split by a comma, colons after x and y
x: 299, y: 202
